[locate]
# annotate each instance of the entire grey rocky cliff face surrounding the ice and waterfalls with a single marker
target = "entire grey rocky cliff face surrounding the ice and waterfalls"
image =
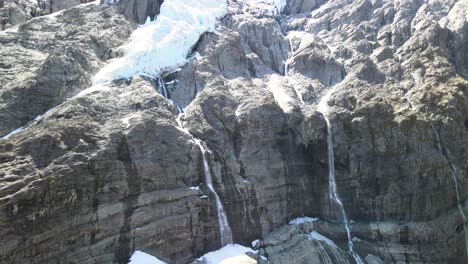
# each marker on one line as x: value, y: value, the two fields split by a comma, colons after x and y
x: 112, y: 169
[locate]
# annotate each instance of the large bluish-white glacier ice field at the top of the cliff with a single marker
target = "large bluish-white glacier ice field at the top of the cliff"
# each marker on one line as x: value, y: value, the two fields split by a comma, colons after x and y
x: 163, y: 45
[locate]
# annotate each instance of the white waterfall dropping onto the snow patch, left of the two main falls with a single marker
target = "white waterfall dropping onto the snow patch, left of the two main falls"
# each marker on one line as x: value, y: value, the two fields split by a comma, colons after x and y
x: 224, y: 229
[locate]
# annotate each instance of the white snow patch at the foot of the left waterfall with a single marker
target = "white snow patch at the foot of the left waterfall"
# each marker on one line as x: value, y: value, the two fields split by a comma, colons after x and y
x: 229, y: 254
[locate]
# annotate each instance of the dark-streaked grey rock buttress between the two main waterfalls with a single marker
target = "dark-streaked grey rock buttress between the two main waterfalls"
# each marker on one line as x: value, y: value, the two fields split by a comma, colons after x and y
x: 275, y: 182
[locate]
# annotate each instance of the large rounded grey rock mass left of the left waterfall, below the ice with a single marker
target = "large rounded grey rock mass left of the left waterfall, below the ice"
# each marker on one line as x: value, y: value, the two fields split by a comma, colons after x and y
x: 99, y: 178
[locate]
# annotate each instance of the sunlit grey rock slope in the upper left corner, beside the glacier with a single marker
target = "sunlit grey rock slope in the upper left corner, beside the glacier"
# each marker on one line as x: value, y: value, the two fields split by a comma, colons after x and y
x: 48, y: 59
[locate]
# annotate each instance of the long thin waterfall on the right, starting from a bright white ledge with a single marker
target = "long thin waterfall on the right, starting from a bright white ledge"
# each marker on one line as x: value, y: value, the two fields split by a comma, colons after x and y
x: 332, y: 190
